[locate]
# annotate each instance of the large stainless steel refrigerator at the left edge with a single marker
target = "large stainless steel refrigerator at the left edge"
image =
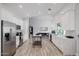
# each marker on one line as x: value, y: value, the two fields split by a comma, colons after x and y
x: 8, y: 38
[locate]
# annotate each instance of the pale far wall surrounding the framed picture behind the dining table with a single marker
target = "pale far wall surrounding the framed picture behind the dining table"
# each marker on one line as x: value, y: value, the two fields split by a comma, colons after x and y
x: 41, y: 21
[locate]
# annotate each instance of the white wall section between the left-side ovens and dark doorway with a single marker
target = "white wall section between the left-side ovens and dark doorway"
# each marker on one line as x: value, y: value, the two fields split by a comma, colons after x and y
x: 26, y: 29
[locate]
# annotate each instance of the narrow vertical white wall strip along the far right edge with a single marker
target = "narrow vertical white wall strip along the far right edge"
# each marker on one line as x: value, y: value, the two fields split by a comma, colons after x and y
x: 77, y: 28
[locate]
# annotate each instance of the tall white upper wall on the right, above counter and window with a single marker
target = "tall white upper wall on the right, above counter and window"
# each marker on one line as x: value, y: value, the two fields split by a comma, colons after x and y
x: 66, y: 17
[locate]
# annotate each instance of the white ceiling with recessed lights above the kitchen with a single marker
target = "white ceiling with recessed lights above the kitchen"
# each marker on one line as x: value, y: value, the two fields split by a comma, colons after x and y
x: 33, y: 9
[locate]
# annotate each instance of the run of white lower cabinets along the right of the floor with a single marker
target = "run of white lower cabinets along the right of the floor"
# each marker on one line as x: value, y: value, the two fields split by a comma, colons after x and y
x: 67, y: 46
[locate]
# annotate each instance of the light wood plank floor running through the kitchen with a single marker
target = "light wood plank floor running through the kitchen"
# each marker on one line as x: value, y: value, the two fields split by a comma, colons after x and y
x: 48, y: 49
